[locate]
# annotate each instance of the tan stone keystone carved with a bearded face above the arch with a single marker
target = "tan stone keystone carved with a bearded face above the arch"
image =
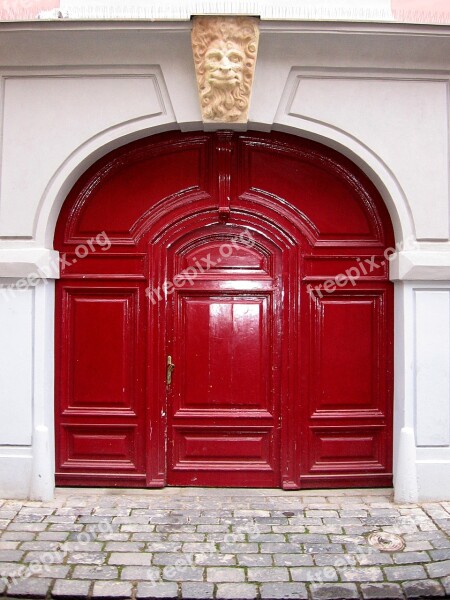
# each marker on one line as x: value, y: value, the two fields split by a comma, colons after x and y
x: 225, y: 54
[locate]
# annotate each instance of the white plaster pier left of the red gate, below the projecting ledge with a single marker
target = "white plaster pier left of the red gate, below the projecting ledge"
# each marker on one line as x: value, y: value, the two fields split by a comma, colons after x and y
x: 25, y: 386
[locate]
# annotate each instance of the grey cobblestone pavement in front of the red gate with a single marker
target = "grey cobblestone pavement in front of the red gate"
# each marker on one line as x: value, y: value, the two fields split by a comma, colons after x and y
x: 222, y: 544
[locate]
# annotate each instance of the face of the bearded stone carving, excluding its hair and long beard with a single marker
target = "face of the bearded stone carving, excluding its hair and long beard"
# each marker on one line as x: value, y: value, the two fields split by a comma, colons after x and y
x: 224, y: 63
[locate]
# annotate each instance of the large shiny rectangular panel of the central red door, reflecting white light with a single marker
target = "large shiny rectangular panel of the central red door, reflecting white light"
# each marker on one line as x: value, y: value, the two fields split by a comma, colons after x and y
x: 225, y: 339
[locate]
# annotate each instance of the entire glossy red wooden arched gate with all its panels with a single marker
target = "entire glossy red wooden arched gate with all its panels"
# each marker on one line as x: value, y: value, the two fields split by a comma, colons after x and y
x: 224, y: 317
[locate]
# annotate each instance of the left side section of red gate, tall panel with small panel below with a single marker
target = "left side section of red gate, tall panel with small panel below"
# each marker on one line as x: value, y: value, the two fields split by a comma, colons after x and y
x: 99, y: 421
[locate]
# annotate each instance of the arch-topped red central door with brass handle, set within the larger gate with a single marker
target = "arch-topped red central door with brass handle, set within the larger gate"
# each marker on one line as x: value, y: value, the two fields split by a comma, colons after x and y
x: 224, y: 329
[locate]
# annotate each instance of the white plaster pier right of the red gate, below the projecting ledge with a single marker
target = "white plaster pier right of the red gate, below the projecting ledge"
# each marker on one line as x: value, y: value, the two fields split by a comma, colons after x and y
x: 422, y: 419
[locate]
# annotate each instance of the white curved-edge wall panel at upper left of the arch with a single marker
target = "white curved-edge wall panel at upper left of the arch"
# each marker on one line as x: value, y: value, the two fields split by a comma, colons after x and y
x: 46, y: 118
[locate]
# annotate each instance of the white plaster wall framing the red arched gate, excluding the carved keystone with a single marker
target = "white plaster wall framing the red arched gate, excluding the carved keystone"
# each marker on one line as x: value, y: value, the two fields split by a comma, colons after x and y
x: 373, y: 95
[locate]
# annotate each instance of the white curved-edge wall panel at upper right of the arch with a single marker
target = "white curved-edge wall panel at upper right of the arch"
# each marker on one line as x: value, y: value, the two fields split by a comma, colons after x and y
x: 399, y: 121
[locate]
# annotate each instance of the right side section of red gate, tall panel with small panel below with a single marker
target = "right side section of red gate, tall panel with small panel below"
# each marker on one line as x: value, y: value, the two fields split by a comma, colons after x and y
x: 349, y: 432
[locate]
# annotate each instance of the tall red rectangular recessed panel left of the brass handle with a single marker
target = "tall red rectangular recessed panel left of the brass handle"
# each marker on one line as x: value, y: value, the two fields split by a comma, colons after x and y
x: 100, y: 352
